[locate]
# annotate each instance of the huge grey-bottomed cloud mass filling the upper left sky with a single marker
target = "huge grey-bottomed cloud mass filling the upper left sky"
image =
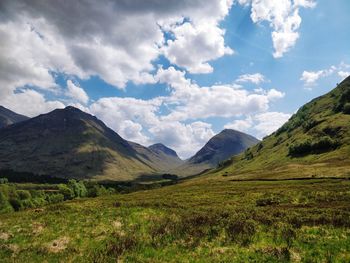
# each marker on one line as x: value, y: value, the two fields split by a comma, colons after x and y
x: 118, y: 43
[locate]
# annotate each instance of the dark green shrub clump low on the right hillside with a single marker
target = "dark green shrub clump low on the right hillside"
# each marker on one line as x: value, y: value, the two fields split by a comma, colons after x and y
x: 323, y: 144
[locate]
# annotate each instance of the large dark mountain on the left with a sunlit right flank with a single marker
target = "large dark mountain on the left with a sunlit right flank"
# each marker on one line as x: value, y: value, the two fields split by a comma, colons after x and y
x: 69, y: 143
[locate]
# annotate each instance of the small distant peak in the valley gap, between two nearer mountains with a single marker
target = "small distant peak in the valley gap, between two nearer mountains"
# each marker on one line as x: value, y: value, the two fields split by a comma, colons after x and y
x: 158, y: 156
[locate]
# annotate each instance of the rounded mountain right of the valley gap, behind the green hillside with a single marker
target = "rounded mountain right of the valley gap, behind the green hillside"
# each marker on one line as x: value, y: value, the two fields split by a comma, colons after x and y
x: 219, y: 148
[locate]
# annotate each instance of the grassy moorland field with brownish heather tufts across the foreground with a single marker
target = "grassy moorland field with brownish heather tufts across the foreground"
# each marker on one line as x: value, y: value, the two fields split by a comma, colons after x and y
x: 208, y: 219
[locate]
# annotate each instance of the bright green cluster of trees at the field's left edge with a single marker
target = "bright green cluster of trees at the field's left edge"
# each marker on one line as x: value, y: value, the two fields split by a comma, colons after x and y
x: 14, y: 199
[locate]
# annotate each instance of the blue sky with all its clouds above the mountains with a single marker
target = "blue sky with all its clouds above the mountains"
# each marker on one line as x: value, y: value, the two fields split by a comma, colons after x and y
x: 177, y: 71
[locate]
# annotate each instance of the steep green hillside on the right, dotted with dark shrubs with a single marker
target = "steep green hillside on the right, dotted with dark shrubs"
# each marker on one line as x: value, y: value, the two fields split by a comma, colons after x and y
x: 315, y: 142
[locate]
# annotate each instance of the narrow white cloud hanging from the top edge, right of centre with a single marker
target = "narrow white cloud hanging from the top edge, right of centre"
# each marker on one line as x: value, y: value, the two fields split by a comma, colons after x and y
x: 283, y: 17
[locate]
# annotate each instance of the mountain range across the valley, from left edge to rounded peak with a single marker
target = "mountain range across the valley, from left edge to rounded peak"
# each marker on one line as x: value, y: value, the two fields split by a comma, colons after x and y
x: 69, y: 143
